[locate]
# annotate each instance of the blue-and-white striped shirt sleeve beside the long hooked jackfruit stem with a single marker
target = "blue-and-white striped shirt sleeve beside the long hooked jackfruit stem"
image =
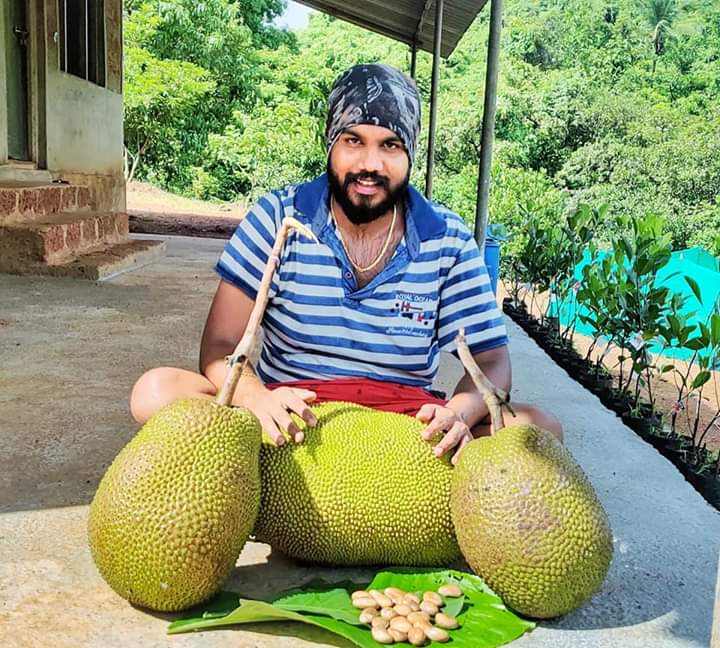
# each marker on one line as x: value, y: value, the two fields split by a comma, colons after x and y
x: 243, y: 260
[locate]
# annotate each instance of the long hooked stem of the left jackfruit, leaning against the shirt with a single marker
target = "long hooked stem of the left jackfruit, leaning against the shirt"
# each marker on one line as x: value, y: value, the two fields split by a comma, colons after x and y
x: 239, y: 358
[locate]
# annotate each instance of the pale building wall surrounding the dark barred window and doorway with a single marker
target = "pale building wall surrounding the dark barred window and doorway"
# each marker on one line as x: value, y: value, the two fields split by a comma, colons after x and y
x: 77, y: 126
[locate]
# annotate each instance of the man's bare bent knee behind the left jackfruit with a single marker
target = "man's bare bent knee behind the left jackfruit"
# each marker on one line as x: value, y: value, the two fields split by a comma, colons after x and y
x: 163, y: 385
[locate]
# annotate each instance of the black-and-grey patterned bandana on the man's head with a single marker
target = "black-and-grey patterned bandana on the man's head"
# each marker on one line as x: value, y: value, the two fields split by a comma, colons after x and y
x: 374, y: 94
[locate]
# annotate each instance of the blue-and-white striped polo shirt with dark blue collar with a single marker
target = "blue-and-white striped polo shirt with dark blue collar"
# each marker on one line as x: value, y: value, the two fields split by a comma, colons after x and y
x: 319, y: 325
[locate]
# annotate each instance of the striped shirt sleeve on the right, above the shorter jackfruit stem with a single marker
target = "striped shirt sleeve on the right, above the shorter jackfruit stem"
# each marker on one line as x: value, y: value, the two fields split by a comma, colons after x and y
x: 467, y: 301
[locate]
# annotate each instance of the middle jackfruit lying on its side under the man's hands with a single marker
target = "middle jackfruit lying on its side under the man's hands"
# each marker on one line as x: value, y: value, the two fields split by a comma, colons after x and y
x: 363, y: 488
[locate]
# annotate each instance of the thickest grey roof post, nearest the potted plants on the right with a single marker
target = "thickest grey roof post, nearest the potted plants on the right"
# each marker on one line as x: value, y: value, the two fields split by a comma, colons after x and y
x: 488, y: 129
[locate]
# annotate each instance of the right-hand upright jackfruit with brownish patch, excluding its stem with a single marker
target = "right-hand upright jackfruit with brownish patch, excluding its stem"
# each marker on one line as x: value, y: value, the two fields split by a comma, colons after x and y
x: 529, y: 522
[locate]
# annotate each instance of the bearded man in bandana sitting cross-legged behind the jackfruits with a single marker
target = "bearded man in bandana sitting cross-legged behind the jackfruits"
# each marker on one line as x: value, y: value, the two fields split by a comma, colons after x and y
x: 363, y: 314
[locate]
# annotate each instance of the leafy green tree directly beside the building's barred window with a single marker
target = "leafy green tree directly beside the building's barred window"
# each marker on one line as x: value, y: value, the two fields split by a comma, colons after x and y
x: 214, y: 44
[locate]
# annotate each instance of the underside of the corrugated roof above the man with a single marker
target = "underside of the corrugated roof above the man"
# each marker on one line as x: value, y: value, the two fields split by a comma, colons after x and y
x: 406, y: 20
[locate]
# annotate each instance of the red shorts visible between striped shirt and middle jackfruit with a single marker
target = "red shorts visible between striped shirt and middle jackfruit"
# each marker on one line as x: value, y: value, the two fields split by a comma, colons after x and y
x: 387, y: 396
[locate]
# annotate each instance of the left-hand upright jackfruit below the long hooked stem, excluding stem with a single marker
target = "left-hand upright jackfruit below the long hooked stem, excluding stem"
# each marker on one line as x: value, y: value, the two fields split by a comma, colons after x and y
x: 176, y: 506
